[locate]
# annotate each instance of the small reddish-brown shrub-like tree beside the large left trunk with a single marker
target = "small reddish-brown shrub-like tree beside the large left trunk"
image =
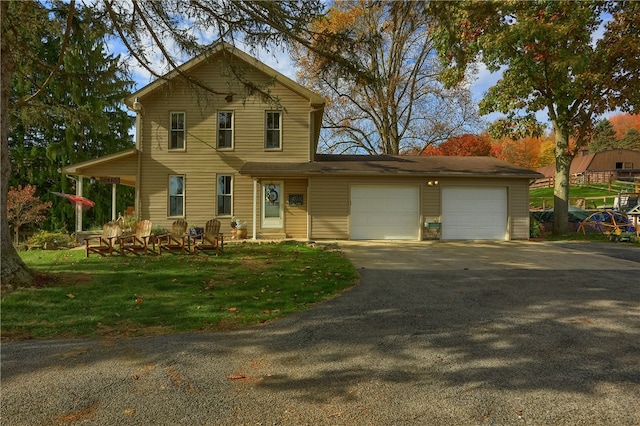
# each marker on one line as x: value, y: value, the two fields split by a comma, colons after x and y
x: 24, y: 208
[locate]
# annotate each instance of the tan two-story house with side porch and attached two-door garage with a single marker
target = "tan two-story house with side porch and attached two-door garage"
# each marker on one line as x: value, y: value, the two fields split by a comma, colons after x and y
x: 230, y: 152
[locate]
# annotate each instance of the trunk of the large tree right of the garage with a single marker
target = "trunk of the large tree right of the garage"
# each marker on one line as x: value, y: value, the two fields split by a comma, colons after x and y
x: 562, y: 182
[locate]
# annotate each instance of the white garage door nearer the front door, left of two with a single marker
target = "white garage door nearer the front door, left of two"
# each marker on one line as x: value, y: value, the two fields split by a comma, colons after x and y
x: 385, y: 212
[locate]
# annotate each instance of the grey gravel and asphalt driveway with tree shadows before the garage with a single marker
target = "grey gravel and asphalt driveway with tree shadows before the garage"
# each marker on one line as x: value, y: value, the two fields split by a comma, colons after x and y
x: 437, y: 333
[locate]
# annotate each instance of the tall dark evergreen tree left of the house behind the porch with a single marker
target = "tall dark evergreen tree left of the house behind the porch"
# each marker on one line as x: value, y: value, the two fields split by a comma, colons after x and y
x: 80, y: 118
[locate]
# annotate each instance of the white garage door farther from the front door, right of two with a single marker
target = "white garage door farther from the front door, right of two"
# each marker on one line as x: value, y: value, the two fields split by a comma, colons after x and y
x: 474, y: 213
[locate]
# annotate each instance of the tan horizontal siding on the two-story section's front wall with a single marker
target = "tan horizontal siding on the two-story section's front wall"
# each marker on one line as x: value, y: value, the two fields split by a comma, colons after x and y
x: 201, y: 161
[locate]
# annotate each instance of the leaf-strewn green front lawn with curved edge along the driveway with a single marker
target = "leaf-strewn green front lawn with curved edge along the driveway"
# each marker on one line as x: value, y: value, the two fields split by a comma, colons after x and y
x: 132, y: 296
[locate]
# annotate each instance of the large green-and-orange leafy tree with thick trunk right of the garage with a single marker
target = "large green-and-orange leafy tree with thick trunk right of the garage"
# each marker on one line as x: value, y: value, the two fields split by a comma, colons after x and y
x: 550, y: 61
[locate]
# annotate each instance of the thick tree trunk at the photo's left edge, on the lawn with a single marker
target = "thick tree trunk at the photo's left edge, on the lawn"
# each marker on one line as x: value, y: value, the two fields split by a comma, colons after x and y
x: 14, y: 272
